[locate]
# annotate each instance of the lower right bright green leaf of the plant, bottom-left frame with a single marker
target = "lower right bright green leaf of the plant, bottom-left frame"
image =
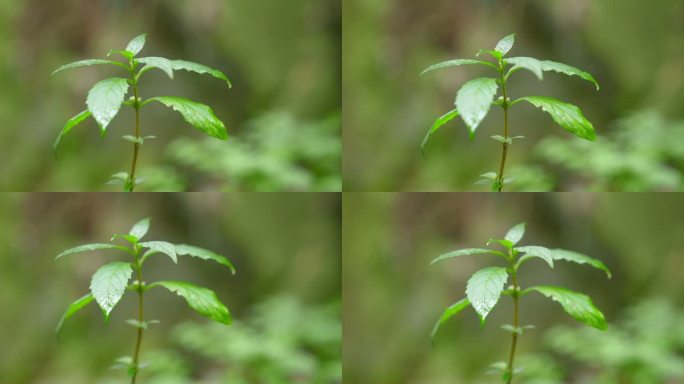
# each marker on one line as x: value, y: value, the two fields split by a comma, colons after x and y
x: 202, y: 300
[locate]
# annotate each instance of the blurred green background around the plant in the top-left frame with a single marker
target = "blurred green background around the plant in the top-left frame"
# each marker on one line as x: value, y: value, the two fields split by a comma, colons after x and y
x: 282, y: 115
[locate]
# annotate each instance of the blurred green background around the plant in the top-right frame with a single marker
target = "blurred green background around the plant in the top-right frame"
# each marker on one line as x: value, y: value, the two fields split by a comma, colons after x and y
x: 635, y: 49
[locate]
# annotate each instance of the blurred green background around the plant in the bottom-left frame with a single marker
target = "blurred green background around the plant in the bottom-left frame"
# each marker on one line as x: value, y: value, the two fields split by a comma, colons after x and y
x: 285, y: 298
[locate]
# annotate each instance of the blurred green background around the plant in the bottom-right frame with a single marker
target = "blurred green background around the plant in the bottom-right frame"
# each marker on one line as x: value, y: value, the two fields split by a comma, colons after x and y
x: 392, y: 297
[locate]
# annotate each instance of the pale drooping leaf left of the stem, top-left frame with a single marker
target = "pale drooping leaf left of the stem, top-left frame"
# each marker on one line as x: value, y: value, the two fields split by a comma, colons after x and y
x: 105, y: 98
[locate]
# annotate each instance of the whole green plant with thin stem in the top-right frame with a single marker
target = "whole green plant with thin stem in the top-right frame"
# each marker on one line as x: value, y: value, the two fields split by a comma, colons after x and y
x: 475, y: 98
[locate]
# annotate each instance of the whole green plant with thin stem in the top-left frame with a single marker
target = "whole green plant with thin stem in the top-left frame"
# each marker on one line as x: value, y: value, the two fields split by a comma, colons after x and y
x: 106, y: 97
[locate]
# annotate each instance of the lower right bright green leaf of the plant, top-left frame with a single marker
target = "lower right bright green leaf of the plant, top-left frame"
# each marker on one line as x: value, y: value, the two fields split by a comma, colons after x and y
x: 198, y: 115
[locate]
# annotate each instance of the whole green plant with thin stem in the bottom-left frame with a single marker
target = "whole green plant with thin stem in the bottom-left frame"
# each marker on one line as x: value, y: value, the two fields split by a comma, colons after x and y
x: 110, y: 282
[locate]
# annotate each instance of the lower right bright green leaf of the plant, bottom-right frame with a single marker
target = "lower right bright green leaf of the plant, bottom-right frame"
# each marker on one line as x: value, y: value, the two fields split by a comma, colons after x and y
x: 575, y: 304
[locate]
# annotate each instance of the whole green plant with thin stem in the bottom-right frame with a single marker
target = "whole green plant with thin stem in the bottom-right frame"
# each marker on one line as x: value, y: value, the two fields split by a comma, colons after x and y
x: 485, y: 287
